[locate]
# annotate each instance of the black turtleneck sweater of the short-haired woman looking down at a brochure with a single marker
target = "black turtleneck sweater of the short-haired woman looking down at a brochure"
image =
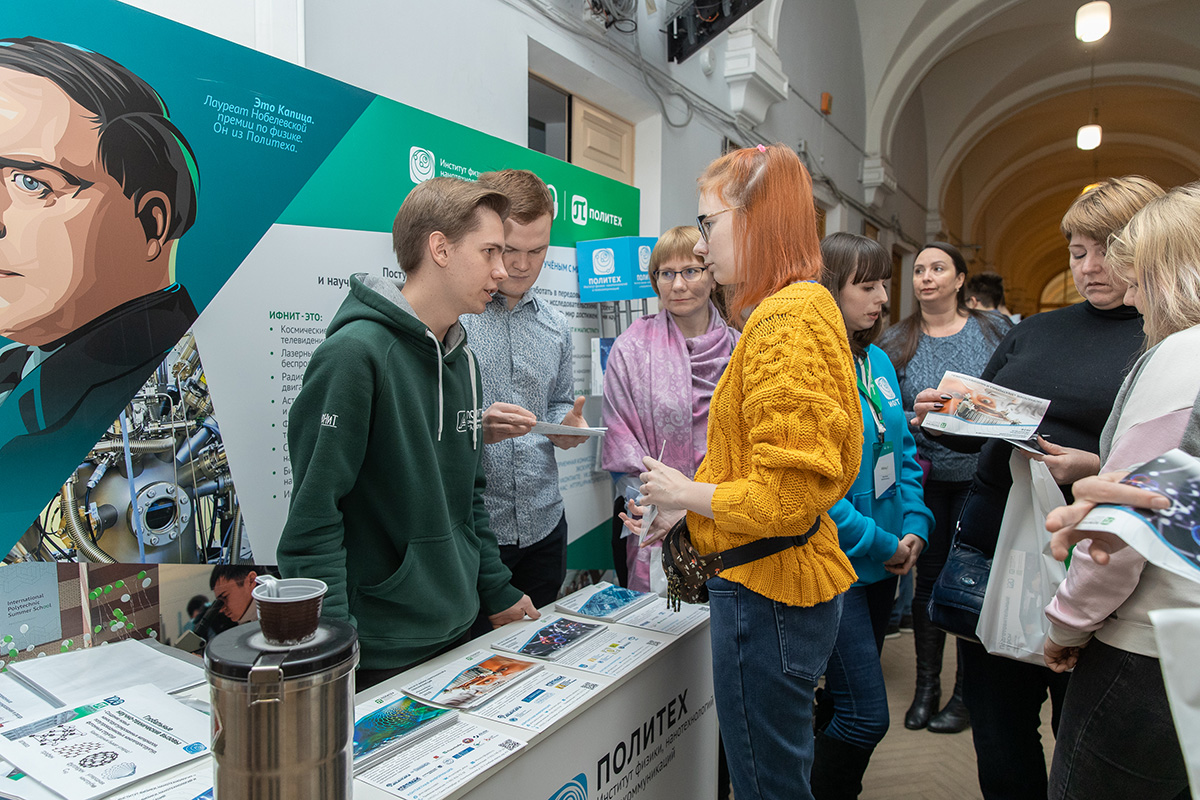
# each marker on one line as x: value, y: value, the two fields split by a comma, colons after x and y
x: 1077, y: 358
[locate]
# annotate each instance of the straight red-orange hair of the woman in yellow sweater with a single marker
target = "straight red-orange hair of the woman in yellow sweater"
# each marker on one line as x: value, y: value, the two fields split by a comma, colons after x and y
x: 775, y: 225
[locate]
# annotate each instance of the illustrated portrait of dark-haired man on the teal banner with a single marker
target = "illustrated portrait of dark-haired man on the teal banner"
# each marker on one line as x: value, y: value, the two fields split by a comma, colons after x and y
x: 98, y: 188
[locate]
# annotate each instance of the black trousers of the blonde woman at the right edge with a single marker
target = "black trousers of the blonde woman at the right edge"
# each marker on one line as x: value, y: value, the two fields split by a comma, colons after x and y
x: 1117, y: 738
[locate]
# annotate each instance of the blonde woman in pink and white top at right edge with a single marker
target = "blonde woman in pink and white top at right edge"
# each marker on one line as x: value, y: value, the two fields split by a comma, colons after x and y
x: 1117, y: 738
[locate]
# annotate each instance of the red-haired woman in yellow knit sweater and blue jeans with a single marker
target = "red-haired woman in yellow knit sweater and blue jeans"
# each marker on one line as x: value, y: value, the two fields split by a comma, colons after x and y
x: 784, y: 446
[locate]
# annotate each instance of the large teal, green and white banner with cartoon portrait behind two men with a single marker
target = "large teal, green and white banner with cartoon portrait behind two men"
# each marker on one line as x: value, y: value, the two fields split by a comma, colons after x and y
x: 249, y: 191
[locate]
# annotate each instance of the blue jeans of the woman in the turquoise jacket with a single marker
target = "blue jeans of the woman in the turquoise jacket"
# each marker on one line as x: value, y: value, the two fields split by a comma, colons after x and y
x: 855, y: 677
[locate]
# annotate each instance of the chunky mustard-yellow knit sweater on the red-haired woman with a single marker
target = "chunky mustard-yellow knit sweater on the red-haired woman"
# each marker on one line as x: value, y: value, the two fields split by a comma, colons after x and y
x: 785, y: 441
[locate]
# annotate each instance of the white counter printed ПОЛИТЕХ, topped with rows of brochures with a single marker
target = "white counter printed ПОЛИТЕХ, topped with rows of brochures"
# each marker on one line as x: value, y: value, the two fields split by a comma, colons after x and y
x: 625, y: 708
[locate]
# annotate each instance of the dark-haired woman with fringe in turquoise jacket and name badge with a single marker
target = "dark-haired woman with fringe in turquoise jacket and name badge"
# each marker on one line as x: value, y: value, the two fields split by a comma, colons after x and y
x: 883, y: 525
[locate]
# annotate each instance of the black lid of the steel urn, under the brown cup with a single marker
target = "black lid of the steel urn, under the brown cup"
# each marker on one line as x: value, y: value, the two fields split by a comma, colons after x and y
x: 231, y: 654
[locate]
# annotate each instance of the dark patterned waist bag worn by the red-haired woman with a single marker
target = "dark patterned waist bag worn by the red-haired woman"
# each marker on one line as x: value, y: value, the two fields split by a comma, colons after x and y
x: 688, y: 572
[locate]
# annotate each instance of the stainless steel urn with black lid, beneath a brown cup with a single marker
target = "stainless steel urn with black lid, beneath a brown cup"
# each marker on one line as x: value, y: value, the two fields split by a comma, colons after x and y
x: 283, y: 718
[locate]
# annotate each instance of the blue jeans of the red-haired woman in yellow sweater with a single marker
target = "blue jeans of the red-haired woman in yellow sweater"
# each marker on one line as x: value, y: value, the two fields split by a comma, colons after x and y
x: 767, y: 658
